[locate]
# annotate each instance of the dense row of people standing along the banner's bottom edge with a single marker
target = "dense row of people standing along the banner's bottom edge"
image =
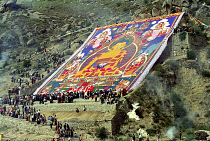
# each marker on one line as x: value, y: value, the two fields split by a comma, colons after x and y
x: 108, y: 96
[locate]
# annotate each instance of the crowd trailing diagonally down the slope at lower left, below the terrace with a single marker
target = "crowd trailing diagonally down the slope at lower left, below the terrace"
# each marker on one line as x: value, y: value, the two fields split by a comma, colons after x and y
x: 24, y: 109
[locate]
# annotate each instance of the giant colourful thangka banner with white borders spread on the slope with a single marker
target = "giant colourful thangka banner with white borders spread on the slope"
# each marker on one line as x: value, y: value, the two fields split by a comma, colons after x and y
x: 114, y: 57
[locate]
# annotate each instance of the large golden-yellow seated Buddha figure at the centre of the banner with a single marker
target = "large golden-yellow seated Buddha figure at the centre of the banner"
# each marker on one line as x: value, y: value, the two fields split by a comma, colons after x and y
x: 109, y: 60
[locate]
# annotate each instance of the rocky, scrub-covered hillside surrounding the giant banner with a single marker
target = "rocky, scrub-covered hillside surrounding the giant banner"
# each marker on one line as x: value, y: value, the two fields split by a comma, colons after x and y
x: 176, y: 92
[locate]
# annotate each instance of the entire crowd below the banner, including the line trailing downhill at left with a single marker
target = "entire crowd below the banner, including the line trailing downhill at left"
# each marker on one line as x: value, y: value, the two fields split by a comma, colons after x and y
x: 22, y: 107
